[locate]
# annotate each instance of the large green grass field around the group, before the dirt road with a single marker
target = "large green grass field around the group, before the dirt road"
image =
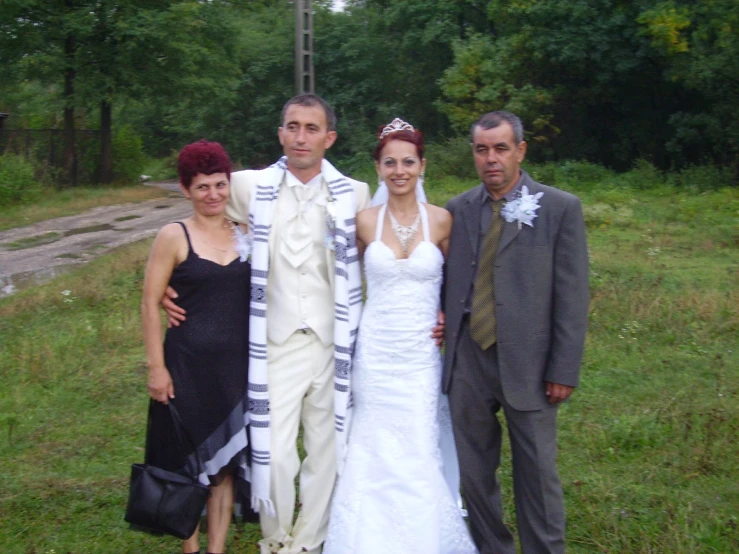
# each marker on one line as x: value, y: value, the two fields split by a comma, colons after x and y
x: 649, y: 455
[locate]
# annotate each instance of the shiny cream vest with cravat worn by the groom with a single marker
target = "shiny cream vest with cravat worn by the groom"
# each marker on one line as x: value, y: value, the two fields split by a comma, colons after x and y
x: 300, y: 287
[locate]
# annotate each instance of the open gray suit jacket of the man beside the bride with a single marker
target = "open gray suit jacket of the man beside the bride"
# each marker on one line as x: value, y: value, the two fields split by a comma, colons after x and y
x: 541, y: 293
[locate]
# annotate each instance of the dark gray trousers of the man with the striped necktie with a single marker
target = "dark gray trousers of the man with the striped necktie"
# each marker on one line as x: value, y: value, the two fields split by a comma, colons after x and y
x: 475, y: 398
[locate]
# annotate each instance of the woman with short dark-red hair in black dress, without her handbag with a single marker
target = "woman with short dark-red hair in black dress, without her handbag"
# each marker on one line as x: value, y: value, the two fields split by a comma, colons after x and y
x: 202, y: 366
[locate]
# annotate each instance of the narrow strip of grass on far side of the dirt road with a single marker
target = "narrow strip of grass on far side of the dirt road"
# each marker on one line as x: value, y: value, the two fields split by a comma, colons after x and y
x: 53, y: 203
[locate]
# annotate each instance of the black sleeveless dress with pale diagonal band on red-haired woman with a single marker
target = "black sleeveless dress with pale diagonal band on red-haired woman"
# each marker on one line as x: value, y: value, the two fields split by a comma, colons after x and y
x: 207, y: 356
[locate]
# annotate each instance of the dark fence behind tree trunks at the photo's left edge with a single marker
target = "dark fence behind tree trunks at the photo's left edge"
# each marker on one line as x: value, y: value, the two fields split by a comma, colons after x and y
x: 45, y: 148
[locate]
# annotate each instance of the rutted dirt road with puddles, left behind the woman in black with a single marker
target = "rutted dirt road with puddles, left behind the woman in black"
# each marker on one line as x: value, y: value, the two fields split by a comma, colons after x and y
x: 37, y: 253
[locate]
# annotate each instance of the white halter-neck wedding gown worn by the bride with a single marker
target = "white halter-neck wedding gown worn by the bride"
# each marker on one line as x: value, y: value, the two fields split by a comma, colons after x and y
x: 397, y: 493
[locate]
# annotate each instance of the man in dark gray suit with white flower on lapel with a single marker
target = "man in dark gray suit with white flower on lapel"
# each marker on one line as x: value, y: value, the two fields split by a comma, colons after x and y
x: 516, y: 301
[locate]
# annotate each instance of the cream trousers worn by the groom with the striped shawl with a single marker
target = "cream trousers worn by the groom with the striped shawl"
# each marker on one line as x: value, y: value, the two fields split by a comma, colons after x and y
x: 301, y: 390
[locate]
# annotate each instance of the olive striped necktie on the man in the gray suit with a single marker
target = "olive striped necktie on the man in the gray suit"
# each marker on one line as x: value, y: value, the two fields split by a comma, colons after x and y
x: 482, y: 318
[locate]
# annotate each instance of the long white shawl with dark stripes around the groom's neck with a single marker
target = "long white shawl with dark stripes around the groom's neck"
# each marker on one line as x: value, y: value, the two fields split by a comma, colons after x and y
x: 347, y: 310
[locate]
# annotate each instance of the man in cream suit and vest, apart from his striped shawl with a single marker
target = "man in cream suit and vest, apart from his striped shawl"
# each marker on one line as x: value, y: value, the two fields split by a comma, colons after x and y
x: 299, y: 323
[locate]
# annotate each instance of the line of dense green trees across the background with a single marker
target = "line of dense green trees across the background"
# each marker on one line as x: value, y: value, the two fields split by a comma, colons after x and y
x: 605, y: 81
